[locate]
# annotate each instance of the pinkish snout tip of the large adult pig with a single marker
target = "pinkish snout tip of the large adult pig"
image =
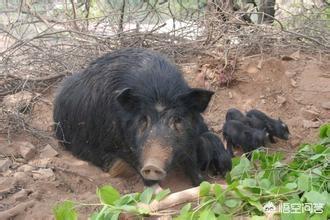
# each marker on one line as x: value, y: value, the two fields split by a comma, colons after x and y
x: 152, y: 170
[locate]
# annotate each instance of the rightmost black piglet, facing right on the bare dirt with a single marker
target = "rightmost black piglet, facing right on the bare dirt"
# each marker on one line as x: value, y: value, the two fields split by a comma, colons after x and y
x: 275, y: 128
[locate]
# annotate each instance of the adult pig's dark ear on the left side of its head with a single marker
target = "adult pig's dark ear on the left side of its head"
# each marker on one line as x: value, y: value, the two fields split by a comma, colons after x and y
x: 127, y: 100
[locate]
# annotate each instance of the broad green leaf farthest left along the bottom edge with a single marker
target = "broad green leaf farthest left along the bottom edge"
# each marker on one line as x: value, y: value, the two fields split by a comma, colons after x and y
x: 65, y: 211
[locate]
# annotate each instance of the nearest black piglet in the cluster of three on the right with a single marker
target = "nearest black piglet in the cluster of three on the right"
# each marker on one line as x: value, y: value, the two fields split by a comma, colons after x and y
x: 237, y: 134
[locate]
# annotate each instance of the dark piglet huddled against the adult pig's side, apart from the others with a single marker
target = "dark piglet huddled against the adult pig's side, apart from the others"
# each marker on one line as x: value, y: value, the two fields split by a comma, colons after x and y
x: 212, y: 154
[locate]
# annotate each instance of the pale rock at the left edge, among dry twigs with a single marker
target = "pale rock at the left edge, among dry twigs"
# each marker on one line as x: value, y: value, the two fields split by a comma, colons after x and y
x: 18, y: 101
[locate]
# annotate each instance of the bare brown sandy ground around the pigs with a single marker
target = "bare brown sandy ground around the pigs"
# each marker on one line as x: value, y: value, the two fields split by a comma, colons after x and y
x: 30, y: 187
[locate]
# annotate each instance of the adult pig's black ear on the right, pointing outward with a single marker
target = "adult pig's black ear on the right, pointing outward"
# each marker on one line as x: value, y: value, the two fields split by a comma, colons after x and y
x: 196, y: 99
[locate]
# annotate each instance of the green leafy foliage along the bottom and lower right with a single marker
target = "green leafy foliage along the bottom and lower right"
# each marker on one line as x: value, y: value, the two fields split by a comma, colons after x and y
x: 265, y: 180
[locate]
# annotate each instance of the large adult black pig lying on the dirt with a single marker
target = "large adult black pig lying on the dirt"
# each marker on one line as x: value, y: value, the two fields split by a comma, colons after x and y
x: 133, y: 104
